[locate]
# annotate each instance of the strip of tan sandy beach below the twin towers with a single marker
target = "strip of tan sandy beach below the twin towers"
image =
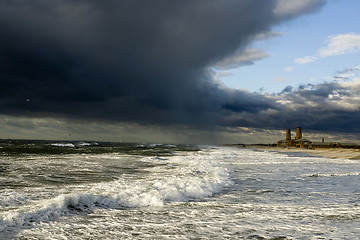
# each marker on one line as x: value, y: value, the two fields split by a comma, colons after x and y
x: 341, y: 153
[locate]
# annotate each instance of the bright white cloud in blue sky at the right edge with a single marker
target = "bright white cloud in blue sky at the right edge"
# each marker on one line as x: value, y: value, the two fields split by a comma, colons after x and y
x: 341, y: 44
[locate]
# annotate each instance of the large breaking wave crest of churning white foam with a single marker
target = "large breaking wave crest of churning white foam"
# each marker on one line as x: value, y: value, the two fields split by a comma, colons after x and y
x: 191, y: 177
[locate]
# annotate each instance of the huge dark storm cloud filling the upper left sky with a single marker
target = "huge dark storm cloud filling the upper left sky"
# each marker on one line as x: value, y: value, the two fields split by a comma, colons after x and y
x: 130, y: 60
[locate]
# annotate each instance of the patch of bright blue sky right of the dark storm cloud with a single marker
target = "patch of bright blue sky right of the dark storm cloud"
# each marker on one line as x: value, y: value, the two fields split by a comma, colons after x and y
x: 310, y: 49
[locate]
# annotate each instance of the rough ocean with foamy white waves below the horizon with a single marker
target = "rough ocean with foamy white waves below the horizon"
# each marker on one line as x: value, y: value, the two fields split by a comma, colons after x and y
x: 95, y: 190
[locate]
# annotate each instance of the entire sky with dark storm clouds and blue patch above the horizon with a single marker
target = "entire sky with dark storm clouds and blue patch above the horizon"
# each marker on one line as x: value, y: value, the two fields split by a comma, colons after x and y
x: 191, y: 71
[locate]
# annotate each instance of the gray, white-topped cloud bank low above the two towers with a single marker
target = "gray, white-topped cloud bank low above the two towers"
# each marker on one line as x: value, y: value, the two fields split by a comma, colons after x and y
x: 328, y: 106
